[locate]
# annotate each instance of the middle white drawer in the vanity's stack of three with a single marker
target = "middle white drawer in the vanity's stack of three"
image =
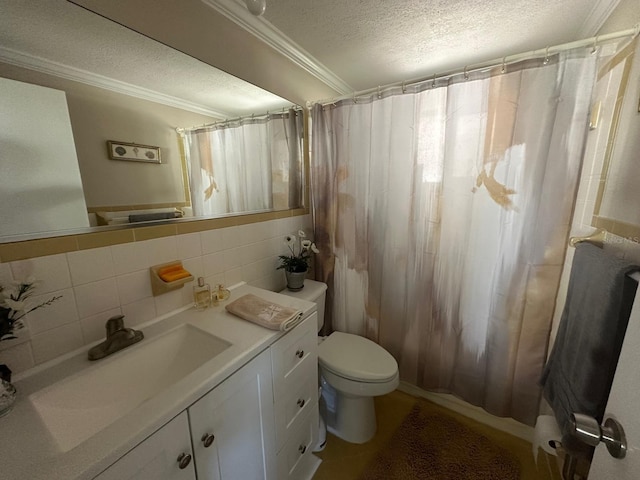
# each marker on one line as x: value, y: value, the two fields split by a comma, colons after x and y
x: 294, y: 406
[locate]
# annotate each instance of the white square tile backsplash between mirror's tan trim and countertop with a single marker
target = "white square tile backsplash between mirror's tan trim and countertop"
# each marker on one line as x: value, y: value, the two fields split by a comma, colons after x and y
x: 98, y: 283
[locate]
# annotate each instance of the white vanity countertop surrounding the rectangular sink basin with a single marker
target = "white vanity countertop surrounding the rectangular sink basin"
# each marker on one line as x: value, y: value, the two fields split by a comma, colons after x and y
x: 27, y: 449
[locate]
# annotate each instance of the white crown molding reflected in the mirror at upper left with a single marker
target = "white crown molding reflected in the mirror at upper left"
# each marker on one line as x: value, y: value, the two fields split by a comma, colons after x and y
x: 31, y: 62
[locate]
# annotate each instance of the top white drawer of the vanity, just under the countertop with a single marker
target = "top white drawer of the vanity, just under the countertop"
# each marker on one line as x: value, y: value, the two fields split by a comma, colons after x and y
x: 297, y: 351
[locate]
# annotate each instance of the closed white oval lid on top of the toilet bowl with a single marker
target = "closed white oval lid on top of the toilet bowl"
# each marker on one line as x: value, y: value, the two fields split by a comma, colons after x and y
x: 356, y: 358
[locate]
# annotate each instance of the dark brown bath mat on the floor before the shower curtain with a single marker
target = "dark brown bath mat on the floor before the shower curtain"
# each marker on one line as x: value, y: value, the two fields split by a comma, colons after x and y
x: 434, y: 446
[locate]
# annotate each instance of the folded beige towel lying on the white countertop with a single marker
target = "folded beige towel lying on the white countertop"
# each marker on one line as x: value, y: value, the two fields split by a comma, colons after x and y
x: 265, y: 313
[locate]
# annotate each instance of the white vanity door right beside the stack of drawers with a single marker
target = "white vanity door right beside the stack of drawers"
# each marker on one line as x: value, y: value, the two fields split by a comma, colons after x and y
x: 236, y: 421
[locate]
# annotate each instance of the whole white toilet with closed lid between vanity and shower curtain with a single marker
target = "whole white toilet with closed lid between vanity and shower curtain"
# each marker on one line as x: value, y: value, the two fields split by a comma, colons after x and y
x: 353, y: 370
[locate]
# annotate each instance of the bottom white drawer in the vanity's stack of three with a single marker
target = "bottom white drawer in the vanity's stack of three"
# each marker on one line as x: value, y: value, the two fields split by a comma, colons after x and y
x: 296, y: 457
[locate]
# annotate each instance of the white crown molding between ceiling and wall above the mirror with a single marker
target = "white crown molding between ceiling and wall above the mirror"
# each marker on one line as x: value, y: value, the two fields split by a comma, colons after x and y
x: 236, y: 11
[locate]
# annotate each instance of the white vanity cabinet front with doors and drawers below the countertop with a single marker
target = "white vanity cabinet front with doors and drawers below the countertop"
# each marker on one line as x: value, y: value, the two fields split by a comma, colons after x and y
x: 261, y: 423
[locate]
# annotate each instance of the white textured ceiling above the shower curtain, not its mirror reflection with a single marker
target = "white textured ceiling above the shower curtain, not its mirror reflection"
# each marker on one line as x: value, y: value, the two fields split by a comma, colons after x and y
x: 375, y: 42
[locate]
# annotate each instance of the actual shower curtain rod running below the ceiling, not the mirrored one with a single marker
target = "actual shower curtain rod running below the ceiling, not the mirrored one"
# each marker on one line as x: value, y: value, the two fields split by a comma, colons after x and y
x: 593, y: 41
